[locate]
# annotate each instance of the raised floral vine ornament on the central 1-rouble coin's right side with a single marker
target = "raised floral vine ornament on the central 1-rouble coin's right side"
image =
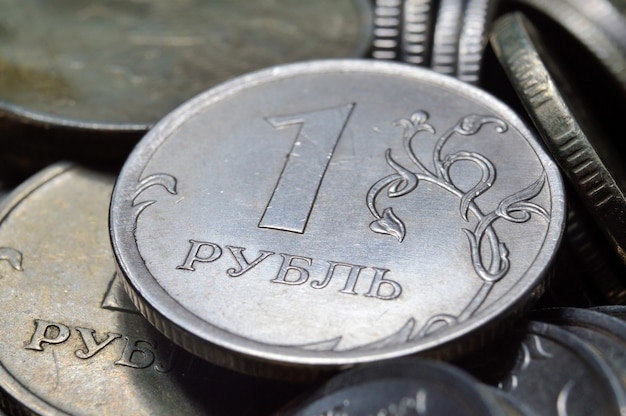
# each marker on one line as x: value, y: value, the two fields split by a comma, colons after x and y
x: 516, y: 208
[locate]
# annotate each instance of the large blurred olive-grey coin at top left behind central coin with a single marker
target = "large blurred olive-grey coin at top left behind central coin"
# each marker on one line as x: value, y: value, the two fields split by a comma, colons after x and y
x: 122, y: 65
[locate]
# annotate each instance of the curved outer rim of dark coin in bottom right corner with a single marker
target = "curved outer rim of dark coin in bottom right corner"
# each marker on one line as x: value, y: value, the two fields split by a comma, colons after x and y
x: 589, y: 355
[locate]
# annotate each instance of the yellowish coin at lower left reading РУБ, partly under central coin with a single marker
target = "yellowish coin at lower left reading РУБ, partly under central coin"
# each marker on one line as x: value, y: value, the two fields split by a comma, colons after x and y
x: 71, y: 341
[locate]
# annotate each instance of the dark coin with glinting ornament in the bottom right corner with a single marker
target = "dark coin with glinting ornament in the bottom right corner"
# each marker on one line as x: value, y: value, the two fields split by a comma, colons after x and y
x: 556, y: 373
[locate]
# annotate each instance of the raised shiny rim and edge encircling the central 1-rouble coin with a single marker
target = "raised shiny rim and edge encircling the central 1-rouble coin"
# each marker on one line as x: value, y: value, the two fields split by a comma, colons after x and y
x: 242, y: 354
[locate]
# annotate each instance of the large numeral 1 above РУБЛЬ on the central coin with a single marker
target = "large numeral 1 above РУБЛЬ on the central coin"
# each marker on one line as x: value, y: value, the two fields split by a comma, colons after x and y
x: 294, y: 195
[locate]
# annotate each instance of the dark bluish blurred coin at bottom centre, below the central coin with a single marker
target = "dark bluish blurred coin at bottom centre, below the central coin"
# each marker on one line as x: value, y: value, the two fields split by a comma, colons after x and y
x: 405, y: 387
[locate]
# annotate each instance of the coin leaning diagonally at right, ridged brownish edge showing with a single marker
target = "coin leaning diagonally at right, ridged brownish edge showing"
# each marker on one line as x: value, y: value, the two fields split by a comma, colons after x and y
x: 584, y: 153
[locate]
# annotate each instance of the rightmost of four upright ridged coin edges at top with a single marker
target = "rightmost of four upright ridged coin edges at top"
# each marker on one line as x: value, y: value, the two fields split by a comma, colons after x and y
x: 473, y: 38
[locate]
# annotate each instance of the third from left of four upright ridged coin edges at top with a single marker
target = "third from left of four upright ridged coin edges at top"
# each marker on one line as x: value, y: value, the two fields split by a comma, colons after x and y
x: 446, y: 36
